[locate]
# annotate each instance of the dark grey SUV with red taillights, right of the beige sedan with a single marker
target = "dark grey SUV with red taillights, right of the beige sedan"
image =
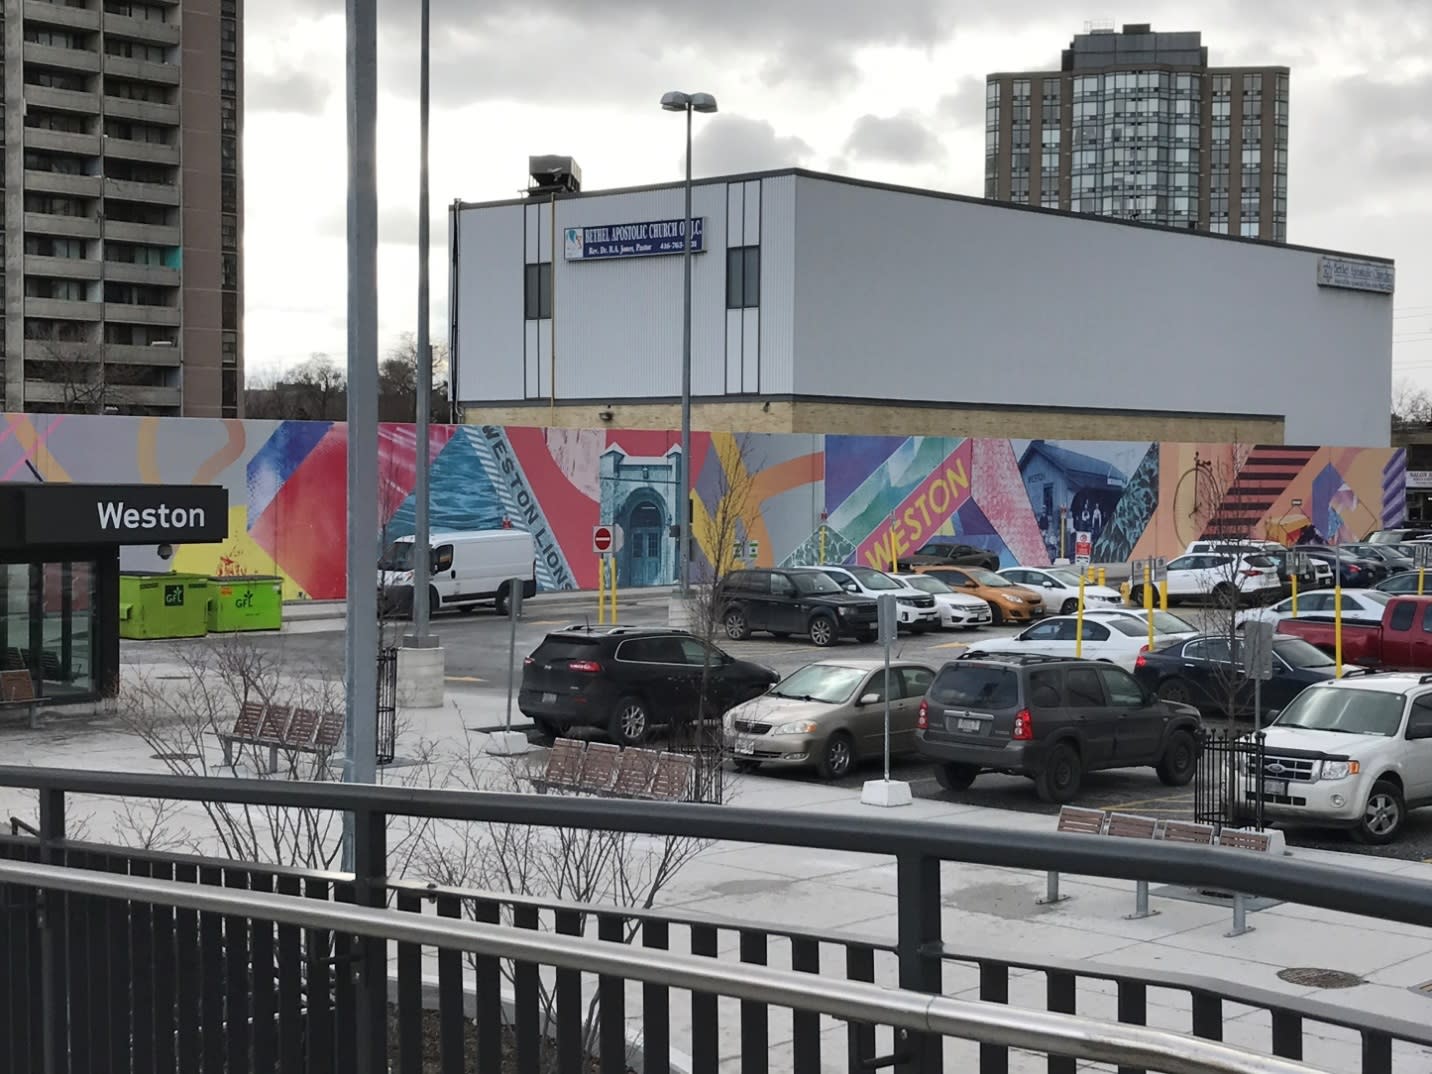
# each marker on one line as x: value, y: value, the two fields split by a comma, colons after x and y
x: 1052, y: 721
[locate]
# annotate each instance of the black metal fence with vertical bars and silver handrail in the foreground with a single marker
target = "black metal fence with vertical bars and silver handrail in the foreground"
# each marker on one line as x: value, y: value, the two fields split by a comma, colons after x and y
x: 208, y: 973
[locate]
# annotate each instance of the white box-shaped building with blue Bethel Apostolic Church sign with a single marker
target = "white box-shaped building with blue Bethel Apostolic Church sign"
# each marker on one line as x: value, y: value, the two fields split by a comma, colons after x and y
x: 824, y: 304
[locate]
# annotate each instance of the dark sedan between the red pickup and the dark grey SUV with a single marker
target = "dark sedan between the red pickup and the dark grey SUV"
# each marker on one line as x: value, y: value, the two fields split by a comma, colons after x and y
x: 1205, y: 674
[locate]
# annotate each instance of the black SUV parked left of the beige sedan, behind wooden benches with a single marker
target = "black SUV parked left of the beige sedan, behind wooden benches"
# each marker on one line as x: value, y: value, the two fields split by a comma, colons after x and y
x: 628, y: 679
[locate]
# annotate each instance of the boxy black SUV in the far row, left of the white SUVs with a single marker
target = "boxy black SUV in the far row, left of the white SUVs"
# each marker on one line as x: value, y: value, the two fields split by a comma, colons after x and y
x: 794, y: 602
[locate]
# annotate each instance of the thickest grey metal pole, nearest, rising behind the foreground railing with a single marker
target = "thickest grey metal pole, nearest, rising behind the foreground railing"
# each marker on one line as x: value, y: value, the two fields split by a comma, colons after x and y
x: 362, y: 641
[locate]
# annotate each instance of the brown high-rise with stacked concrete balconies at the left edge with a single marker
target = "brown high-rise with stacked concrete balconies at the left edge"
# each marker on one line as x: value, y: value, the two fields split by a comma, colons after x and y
x: 122, y: 224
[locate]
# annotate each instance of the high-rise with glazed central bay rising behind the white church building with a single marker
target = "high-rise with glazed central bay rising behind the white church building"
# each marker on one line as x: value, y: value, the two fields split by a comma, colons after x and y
x: 1138, y: 125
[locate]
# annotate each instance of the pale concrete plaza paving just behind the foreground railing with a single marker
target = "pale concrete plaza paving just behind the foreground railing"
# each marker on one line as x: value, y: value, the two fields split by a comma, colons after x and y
x: 986, y: 910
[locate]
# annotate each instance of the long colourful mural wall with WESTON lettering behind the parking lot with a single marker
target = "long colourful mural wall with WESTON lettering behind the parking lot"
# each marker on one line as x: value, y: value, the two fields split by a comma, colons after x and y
x: 761, y: 499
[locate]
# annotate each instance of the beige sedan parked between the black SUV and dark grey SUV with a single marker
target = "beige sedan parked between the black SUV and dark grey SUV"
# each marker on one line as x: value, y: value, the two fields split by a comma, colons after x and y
x: 828, y: 715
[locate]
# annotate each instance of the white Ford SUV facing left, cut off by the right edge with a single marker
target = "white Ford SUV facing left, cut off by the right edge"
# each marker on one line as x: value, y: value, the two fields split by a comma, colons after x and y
x: 1353, y: 753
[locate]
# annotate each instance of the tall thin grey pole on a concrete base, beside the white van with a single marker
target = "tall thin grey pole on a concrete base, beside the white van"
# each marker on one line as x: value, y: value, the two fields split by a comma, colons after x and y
x: 422, y: 559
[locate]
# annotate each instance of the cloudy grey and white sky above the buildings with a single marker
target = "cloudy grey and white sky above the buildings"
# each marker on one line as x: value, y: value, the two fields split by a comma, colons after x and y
x: 887, y: 92
